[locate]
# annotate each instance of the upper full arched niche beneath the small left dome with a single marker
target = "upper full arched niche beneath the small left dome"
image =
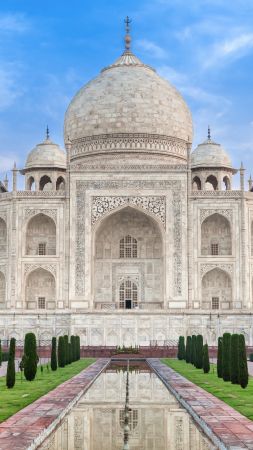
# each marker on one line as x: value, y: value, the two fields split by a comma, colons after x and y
x: 41, y: 236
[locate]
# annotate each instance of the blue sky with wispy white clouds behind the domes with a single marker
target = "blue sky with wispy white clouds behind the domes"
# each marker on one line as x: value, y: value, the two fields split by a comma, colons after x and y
x: 48, y: 50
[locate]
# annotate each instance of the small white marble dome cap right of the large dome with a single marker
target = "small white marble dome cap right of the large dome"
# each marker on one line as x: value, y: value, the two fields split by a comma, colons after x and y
x: 210, y: 154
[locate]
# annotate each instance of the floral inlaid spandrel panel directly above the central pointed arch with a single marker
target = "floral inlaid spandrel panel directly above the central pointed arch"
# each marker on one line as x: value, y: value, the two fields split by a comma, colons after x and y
x: 153, y: 204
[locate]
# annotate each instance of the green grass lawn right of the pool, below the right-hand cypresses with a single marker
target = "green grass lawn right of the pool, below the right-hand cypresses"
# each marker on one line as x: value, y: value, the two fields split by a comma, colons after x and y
x: 240, y: 399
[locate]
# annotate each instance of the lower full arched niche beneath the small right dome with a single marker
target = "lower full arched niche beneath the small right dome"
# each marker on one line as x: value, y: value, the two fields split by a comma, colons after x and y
x: 216, y: 290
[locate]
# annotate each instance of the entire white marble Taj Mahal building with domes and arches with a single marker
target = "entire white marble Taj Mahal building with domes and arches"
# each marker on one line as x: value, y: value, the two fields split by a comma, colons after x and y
x: 126, y: 237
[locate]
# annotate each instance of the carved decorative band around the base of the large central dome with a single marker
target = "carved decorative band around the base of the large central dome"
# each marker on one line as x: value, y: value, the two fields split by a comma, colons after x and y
x: 120, y: 142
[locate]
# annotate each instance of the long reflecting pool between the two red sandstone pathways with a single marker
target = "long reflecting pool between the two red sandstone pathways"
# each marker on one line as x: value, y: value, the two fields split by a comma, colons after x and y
x: 155, y: 420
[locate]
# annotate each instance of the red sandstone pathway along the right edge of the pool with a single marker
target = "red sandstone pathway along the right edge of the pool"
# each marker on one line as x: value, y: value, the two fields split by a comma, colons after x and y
x: 233, y: 429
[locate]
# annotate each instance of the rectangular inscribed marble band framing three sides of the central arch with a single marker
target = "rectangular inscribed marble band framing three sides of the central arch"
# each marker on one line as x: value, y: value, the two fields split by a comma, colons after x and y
x: 176, y: 208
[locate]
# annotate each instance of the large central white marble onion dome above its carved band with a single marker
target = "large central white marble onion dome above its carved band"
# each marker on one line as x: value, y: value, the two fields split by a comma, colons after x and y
x: 128, y: 97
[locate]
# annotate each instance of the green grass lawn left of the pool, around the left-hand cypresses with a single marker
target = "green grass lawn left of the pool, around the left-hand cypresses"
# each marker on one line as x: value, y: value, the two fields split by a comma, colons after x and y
x: 26, y: 392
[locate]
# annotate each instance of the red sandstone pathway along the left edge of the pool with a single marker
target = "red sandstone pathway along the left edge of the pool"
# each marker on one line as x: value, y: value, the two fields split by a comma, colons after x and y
x: 19, y: 431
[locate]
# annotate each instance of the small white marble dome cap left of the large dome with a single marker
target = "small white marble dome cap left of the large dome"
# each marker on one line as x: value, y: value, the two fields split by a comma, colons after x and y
x: 47, y: 154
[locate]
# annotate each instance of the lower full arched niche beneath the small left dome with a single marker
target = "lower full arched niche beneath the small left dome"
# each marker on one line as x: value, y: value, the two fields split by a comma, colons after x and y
x: 40, y: 290
